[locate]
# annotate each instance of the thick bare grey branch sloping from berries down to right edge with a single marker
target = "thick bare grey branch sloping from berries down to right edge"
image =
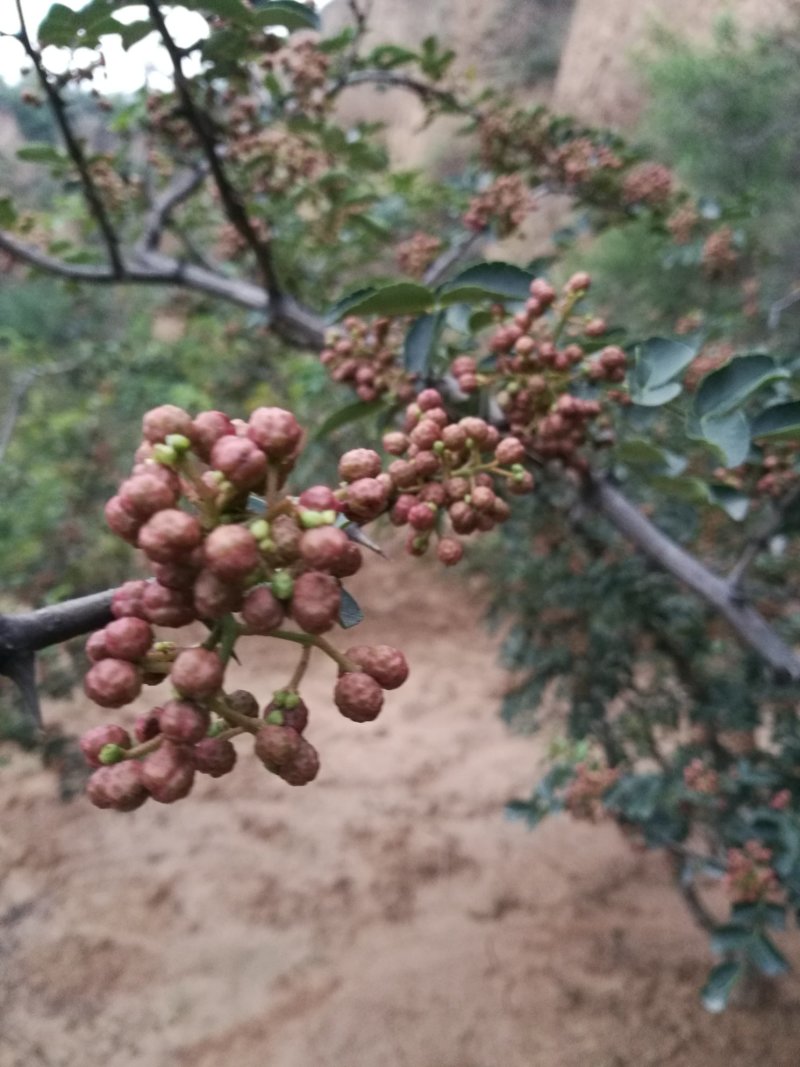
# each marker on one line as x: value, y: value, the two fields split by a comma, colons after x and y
x: 751, y: 628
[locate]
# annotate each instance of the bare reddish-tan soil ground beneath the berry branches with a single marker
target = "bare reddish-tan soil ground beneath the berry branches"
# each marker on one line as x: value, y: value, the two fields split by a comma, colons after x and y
x: 387, y: 915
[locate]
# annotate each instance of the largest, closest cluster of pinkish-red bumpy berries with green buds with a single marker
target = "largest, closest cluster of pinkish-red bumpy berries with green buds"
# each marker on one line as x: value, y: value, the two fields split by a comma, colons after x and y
x: 231, y: 548
